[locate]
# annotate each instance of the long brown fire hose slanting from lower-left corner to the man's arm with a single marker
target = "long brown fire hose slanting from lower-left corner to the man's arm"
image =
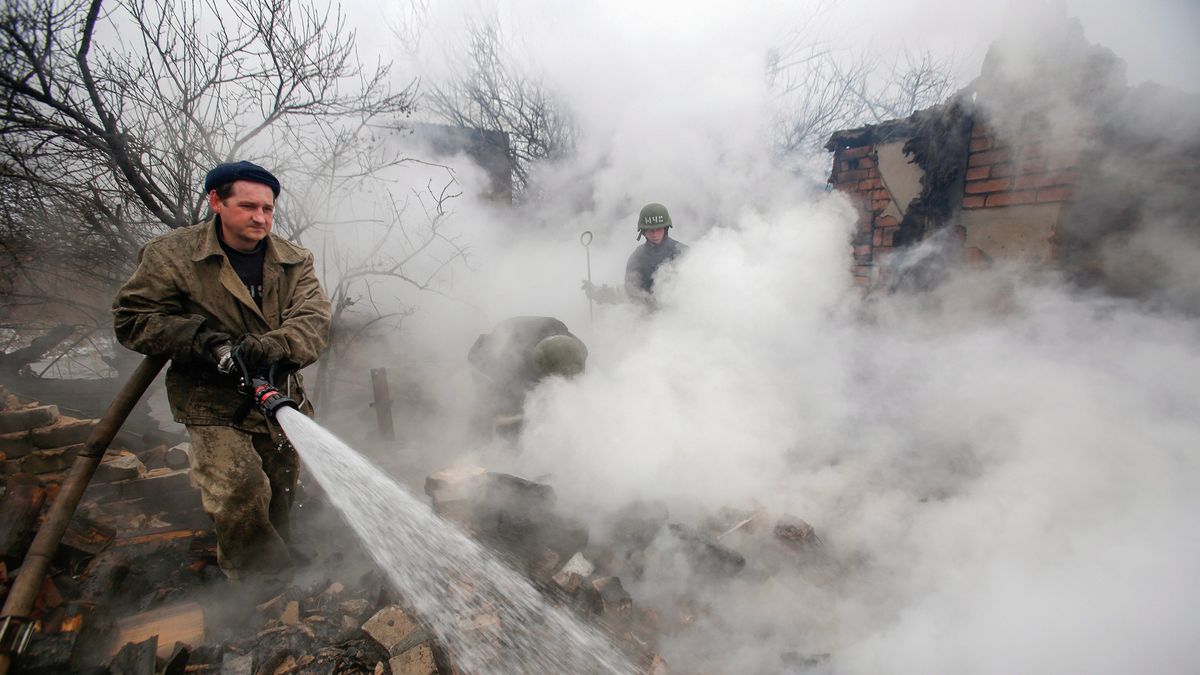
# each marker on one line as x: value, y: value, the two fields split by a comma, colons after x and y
x: 16, y: 626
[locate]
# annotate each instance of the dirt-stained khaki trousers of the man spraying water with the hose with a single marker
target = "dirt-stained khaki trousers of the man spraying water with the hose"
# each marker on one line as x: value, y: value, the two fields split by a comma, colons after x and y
x: 248, y: 483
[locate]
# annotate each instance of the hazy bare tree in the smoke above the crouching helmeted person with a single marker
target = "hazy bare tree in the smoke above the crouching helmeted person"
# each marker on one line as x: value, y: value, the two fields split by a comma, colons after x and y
x: 490, y: 91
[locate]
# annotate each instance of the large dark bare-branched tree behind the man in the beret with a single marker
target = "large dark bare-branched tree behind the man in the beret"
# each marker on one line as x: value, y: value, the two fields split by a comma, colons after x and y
x: 112, y: 112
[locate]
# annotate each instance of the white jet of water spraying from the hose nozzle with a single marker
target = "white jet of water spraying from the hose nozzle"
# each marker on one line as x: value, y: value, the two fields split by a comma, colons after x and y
x: 448, y: 578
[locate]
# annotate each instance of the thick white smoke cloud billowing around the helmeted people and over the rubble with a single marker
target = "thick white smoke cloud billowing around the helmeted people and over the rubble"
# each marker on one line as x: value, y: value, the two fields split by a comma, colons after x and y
x: 1003, y: 469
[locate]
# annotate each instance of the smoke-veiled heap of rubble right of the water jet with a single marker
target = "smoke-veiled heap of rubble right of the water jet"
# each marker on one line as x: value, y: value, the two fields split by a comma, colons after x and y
x: 520, y: 521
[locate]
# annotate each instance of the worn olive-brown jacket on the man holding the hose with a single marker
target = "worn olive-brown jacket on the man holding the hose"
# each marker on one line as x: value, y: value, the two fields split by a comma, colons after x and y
x: 184, y: 282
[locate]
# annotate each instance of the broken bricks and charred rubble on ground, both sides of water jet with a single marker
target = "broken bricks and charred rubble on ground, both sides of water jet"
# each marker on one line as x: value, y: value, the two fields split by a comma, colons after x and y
x: 136, y: 587
